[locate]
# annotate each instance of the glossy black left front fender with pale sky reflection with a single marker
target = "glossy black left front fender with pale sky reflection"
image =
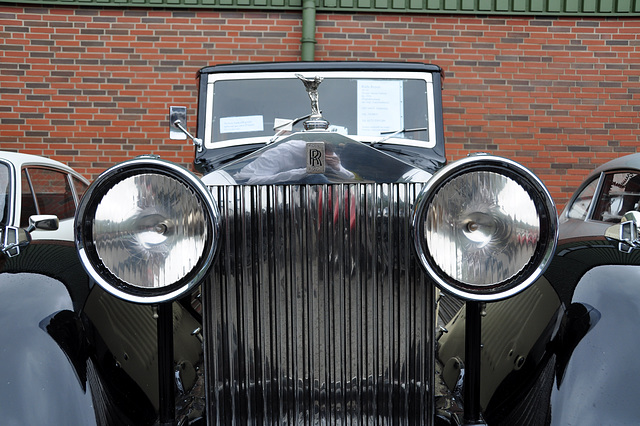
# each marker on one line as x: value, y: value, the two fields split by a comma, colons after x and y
x: 49, y: 373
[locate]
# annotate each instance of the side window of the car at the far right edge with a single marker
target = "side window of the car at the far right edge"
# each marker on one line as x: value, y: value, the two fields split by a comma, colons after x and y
x: 620, y: 194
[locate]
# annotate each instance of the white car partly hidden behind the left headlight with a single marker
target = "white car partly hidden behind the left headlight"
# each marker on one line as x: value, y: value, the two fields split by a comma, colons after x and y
x: 33, y: 185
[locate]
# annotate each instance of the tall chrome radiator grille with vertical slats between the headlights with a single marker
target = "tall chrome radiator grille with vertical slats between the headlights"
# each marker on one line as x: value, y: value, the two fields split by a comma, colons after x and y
x: 317, y: 311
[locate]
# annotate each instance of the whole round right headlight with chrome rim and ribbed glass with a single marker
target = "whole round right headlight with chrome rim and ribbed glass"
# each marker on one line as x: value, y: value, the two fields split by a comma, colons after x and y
x: 485, y: 228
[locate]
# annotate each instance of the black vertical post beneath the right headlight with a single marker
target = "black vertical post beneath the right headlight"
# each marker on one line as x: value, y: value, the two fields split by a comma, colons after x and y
x: 472, y: 349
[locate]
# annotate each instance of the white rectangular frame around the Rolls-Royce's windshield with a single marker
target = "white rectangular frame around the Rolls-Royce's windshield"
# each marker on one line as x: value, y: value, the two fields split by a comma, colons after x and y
x: 213, y: 78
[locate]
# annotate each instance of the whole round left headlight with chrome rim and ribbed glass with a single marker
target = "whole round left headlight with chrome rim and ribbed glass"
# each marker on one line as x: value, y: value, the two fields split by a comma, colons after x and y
x: 147, y: 230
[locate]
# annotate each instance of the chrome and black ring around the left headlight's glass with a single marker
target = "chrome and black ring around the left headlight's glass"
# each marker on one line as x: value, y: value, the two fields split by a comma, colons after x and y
x: 86, y: 246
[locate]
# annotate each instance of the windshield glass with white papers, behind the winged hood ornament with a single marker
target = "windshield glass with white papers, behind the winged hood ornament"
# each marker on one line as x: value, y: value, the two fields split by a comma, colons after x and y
x: 364, y: 108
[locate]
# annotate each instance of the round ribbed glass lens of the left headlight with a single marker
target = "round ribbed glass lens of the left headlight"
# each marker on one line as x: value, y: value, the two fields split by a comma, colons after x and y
x: 150, y: 230
